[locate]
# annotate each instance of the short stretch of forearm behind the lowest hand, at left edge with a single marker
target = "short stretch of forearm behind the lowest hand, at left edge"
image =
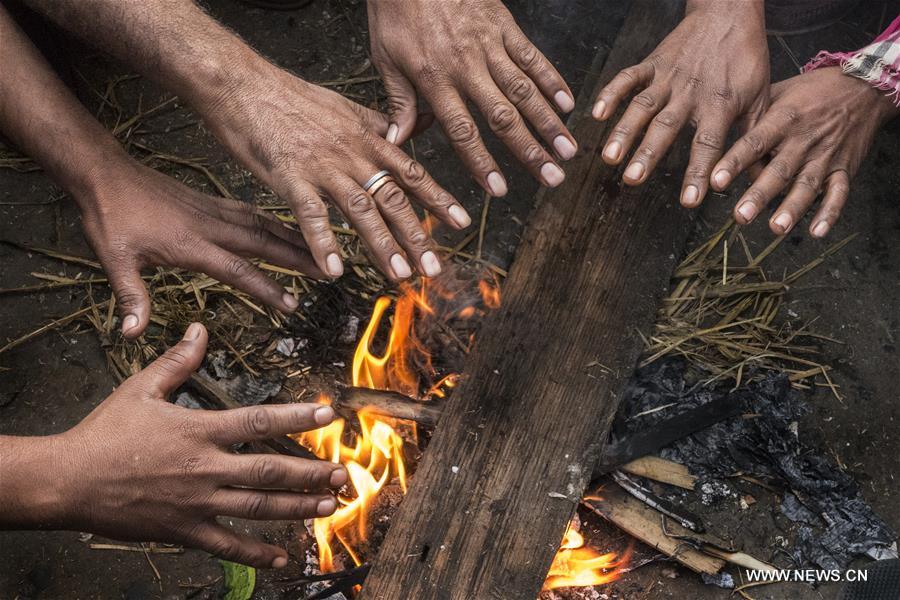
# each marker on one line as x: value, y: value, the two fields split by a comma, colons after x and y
x: 31, y: 496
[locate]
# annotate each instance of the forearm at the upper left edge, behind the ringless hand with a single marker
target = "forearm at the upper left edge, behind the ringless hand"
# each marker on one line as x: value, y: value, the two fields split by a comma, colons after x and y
x: 44, y: 119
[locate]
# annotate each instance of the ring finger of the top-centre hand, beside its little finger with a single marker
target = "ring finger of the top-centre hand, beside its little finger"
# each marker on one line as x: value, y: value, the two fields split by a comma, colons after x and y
x: 526, y: 97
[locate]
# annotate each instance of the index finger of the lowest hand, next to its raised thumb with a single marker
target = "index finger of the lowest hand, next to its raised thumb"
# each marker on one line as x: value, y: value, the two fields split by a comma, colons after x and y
x: 255, y: 423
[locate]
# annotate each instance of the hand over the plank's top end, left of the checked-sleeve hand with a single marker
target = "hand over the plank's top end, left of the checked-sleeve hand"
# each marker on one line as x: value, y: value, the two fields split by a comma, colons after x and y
x: 711, y: 71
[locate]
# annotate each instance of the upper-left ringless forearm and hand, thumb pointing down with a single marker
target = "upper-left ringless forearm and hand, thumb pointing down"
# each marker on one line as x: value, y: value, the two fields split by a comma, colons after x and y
x: 133, y: 216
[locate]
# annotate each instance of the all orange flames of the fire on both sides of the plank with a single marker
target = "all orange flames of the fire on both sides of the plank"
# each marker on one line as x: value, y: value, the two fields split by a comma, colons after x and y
x: 374, y: 456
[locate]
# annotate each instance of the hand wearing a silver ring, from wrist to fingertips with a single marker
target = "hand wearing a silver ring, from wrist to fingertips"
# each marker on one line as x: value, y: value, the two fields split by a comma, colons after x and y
x: 304, y: 141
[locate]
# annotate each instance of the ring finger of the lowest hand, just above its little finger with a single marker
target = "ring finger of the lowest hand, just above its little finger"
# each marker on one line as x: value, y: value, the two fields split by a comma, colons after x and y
x: 271, y: 506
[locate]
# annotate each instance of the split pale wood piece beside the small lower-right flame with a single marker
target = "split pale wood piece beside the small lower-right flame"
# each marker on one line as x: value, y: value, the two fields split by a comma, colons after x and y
x: 644, y: 523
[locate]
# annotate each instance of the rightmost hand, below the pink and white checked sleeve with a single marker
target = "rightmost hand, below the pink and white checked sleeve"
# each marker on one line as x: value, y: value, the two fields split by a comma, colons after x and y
x: 817, y: 131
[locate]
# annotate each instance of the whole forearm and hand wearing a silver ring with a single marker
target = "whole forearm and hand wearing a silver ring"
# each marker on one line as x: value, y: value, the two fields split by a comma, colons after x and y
x: 301, y: 140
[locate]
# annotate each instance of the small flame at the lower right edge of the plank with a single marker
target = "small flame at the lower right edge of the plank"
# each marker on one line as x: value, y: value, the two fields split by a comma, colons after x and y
x: 577, y: 565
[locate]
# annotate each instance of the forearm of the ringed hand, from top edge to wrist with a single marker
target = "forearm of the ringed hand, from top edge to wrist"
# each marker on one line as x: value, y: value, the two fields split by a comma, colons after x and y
x: 172, y: 42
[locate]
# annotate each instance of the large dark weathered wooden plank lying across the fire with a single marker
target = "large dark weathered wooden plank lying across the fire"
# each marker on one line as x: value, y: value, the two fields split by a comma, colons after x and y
x: 514, y: 450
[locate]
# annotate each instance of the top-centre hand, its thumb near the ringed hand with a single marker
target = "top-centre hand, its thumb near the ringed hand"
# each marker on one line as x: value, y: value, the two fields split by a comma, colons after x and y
x: 451, y: 51
